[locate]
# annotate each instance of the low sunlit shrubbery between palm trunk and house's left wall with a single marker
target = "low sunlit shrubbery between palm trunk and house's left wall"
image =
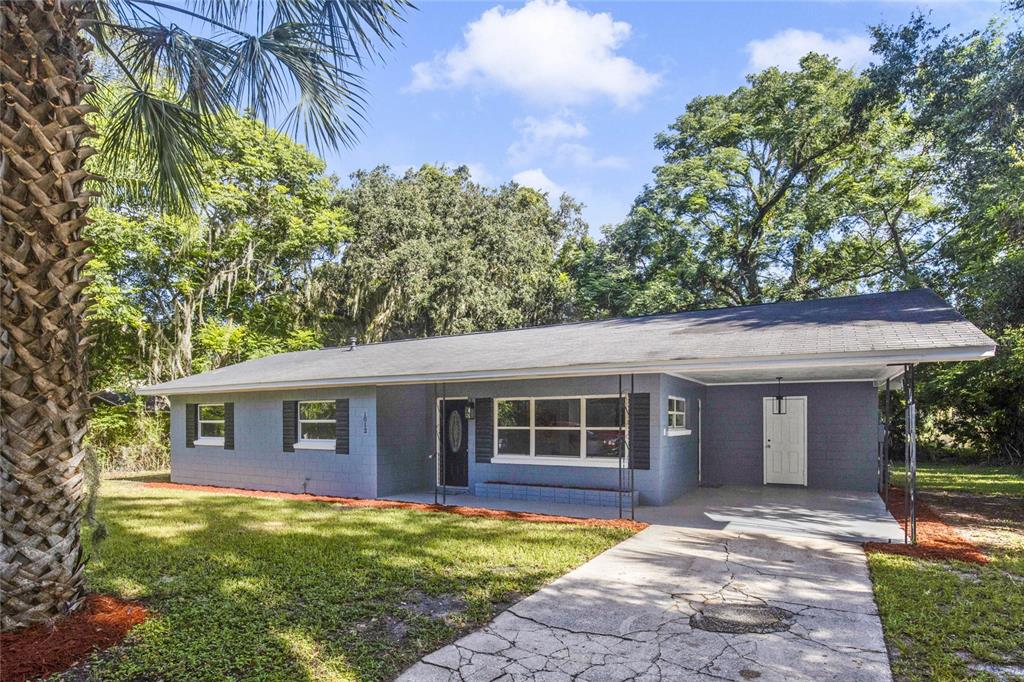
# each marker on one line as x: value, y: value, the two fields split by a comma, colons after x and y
x: 126, y: 438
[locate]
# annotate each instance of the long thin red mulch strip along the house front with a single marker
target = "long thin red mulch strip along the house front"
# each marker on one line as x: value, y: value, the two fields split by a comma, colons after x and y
x: 393, y: 504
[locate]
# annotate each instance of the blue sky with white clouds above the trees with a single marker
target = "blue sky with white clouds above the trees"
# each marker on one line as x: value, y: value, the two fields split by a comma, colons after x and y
x: 569, y: 97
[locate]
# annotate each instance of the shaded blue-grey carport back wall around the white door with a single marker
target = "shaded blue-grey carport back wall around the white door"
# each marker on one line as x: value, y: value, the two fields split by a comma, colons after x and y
x: 842, y: 435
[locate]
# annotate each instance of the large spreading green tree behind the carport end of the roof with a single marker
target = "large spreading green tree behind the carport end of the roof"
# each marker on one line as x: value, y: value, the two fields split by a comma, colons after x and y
x: 787, y: 189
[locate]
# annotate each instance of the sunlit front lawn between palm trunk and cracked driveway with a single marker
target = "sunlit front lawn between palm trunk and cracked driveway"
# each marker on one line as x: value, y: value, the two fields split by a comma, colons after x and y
x: 281, y: 590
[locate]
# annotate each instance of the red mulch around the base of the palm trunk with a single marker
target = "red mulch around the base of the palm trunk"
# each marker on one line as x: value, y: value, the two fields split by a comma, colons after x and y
x: 41, y: 651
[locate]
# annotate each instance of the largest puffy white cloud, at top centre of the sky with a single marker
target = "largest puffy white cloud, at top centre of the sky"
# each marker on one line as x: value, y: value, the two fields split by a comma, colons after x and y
x: 545, y: 51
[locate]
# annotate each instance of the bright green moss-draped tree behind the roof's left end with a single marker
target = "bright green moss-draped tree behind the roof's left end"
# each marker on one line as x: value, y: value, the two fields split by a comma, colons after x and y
x: 181, y: 294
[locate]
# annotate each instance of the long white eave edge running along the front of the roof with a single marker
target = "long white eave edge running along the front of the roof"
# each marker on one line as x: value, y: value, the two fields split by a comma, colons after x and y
x: 958, y: 354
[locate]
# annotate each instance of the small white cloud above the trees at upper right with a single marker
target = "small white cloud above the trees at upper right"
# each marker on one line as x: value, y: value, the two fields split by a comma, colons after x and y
x: 786, y: 49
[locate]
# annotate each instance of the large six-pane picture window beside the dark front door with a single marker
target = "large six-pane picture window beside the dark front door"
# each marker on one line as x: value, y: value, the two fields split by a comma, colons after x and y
x: 561, y: 431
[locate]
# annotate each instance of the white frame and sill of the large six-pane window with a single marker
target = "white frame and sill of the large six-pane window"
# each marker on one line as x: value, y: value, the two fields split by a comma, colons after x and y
x: 551, y: 460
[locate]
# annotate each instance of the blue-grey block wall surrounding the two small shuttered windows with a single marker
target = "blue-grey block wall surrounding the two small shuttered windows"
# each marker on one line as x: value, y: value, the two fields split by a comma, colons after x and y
x: 260, y: 462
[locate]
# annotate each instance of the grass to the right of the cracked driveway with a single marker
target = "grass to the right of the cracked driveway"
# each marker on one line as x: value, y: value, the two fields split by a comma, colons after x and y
x: 956, y: 621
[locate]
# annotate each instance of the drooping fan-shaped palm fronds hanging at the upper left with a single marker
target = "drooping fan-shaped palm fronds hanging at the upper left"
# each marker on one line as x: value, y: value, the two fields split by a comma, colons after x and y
x: 257, y: 57
